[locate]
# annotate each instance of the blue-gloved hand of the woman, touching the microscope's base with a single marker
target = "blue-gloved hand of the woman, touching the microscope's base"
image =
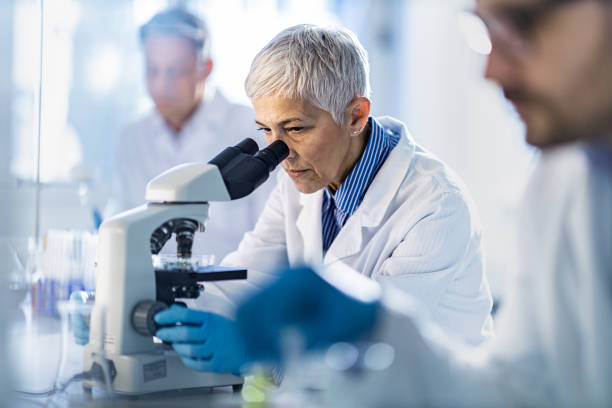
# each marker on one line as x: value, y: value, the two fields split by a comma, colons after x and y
x: 204, y: 341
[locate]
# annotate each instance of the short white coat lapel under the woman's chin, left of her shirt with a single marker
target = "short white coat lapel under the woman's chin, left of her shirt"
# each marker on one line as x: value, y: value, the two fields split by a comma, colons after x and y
x: 308, y: 224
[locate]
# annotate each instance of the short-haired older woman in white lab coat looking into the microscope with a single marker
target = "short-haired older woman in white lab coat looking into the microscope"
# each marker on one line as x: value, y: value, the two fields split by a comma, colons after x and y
x: 355, y: 190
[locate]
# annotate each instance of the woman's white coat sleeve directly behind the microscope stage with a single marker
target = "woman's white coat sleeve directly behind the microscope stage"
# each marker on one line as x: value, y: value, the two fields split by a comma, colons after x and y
x: 263, y: 252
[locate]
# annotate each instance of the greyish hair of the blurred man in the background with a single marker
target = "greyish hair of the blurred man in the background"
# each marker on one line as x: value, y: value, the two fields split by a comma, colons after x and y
x: 180, y: 23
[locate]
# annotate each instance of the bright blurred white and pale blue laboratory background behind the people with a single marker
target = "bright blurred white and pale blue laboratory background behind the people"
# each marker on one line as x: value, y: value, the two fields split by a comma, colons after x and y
x: 72, y: 76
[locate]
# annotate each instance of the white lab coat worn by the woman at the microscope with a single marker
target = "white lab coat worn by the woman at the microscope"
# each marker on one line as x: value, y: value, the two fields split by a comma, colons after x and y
x: 414, y: 230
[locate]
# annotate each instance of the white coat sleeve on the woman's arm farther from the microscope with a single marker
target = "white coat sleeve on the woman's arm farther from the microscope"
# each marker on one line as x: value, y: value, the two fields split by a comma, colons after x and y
x: 439, y: 262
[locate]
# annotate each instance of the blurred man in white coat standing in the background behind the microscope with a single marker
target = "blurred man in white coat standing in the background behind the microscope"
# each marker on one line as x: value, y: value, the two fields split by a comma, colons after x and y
x: 190, y: 122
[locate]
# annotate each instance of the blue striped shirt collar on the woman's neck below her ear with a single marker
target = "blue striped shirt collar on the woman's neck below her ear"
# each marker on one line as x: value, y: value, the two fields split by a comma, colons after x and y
x: 351, y: 191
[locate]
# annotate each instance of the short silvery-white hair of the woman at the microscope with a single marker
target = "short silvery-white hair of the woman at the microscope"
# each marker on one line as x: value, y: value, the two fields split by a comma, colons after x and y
x: 326, y: 66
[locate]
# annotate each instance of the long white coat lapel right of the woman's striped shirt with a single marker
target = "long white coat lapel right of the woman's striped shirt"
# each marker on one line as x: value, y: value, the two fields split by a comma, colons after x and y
x: 377, y: 199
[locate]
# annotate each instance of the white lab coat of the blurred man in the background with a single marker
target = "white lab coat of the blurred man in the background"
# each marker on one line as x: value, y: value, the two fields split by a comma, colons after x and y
x: 148, y: 147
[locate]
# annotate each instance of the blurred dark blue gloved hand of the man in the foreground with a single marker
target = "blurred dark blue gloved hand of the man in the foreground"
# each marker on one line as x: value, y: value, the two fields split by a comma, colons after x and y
x: 324, y: 313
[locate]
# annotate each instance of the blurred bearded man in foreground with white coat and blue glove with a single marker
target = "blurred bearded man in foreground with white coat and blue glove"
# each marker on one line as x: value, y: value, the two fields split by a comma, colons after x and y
x: 553, y: 60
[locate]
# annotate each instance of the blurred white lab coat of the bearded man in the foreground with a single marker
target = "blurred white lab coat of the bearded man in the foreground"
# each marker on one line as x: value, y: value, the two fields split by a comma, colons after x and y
x: 554, y: 335
